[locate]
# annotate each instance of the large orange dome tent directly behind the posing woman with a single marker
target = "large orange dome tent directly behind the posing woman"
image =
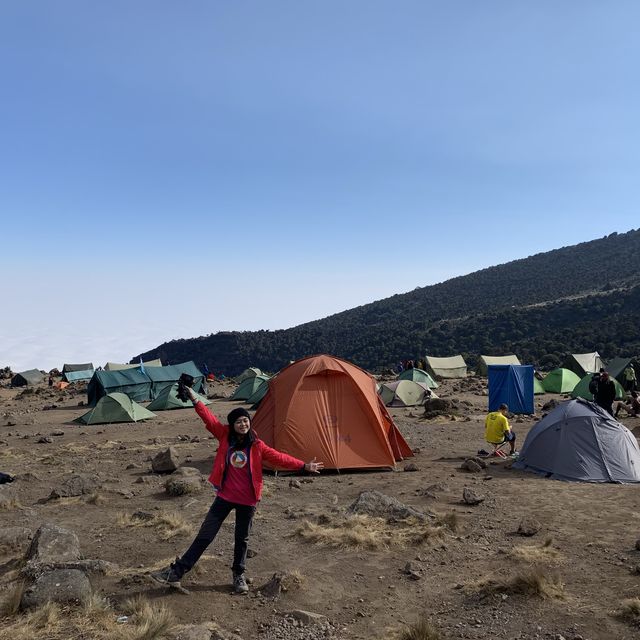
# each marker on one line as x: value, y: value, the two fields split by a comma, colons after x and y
x: 328, y: 408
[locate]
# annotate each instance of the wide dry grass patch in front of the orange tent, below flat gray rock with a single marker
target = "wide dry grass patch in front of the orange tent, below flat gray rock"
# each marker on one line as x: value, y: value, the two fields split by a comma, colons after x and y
x: 366, y: 532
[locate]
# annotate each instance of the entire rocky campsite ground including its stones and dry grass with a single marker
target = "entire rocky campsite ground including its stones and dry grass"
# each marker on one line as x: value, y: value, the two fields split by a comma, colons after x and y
x: 486, y: 552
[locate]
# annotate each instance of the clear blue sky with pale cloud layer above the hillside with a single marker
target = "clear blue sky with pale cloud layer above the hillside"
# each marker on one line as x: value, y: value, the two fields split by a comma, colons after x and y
x: 170, y: 170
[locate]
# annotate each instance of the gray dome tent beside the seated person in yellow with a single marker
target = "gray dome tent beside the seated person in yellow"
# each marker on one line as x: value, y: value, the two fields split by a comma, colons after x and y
x: 579, y: 441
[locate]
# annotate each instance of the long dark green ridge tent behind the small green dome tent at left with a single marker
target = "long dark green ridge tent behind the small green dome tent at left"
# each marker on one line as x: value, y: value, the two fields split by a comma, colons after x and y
x: 141, y: 383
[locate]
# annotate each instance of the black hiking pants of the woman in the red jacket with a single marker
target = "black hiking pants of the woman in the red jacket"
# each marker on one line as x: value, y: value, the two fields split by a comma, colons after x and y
x: 217, y: 514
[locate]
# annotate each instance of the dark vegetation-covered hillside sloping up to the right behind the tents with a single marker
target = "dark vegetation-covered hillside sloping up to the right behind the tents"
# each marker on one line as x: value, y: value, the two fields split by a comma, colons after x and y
x: 571, y: 300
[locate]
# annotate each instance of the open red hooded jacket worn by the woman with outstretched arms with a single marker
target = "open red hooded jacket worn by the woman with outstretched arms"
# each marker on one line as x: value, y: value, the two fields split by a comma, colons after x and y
x: 257, y: 452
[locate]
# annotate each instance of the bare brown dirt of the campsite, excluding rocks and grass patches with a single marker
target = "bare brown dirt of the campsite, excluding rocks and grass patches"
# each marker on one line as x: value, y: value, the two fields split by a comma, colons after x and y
x: 590, y: 531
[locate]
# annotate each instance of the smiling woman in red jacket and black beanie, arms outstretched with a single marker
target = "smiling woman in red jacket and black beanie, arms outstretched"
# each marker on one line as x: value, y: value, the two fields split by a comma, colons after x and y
x: 237, y: 477
